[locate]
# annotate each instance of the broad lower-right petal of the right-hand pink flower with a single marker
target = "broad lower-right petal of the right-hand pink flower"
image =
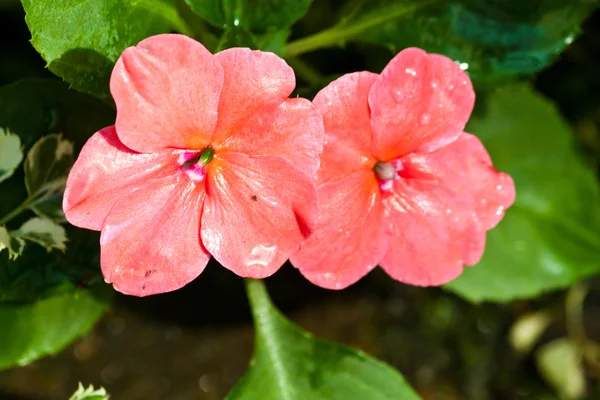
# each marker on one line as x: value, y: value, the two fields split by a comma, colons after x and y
x: 434, y: 233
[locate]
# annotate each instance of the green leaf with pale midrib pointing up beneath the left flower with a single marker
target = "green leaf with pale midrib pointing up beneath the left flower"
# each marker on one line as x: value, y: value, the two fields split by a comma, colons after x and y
x: 289, y: 363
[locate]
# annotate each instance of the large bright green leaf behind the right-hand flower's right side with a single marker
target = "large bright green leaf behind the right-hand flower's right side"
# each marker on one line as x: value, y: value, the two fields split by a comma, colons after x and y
x: 550, y: 238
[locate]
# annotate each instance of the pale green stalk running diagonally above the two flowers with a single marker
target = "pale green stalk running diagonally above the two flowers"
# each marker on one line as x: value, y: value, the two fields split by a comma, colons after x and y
x: 337, y: 34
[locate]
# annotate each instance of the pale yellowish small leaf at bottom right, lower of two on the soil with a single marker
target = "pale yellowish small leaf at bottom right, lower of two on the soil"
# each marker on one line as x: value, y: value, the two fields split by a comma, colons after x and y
x: 560, y: 364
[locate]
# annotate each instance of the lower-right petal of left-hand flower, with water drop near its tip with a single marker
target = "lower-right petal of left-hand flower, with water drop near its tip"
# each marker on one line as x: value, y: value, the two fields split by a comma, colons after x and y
x: 257, y: 212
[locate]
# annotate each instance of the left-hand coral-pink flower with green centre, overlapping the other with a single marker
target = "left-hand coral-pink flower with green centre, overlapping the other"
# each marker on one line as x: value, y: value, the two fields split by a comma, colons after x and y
x: 208, y: 156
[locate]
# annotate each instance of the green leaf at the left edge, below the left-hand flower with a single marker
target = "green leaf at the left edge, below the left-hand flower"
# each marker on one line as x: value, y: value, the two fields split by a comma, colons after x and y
x: 34, y: 330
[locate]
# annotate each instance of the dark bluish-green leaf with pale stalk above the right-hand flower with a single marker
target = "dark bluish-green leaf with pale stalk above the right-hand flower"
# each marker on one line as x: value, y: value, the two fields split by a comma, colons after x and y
x: 491, y: 39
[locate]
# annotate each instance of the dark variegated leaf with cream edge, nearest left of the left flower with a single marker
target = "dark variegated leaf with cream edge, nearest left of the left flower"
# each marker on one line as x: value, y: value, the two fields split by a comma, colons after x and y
x: 46, y: 168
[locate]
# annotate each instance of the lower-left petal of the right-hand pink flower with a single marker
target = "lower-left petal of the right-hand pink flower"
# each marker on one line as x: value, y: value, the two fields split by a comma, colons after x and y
x: 350, y: 237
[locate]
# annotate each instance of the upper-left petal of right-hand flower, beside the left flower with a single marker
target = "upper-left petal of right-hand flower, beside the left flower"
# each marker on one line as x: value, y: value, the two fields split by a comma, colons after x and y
x: 346, y: 115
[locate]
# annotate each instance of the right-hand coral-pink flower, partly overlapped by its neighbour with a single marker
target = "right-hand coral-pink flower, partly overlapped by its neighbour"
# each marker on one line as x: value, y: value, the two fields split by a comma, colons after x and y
x: 400, y: 184
